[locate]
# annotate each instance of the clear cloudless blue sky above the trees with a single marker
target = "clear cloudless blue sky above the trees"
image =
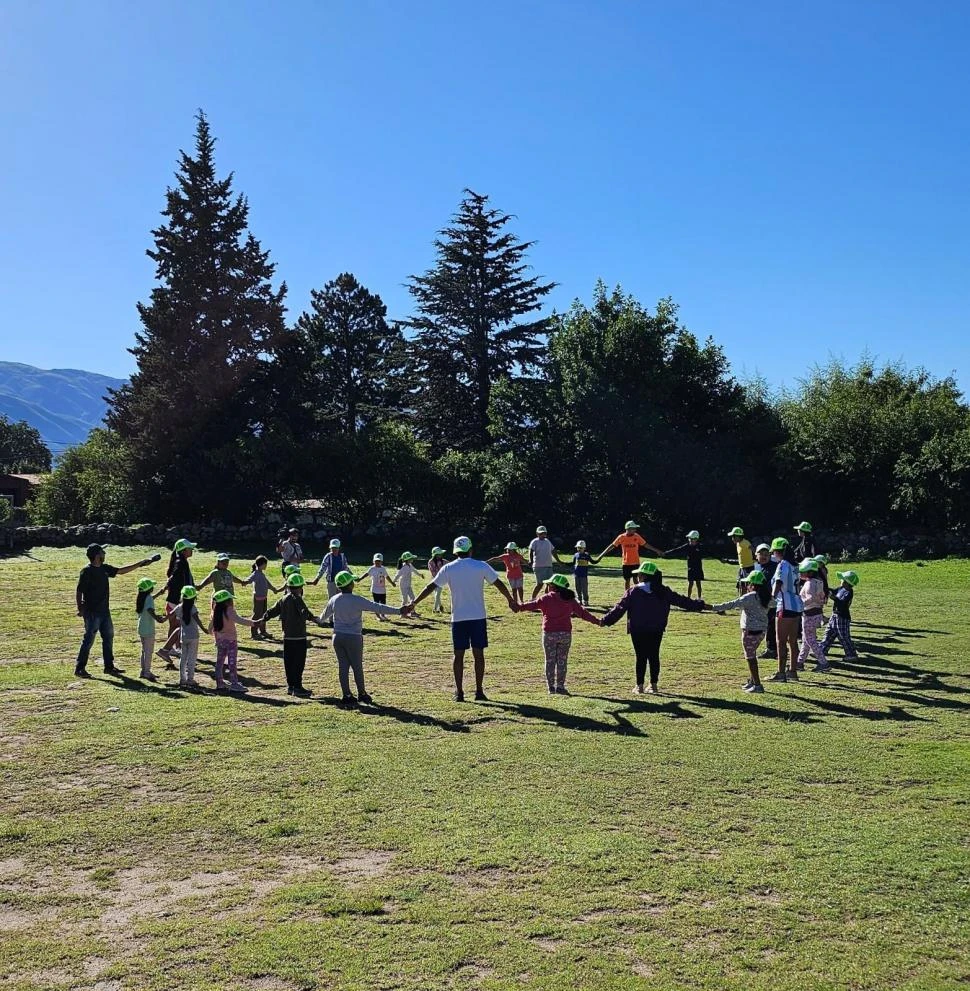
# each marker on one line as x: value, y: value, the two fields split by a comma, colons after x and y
x: 794, y: 174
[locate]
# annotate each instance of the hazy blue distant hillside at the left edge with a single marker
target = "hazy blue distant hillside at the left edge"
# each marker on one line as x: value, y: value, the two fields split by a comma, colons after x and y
x: 62, y: 403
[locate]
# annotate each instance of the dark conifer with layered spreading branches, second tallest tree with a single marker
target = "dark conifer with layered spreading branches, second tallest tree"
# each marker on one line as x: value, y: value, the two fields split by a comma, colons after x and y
x: 468, y: 333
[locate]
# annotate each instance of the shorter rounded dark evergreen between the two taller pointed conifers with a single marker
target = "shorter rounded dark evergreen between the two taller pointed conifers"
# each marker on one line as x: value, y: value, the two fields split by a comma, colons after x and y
x: 352, y: 367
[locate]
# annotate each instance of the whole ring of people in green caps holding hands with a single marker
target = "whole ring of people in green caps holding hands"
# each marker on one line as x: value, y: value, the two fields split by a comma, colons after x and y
x: 782, y: 591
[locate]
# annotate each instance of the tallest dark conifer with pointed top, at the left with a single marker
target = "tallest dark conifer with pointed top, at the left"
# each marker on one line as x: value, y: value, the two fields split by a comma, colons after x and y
x: 192, y: 412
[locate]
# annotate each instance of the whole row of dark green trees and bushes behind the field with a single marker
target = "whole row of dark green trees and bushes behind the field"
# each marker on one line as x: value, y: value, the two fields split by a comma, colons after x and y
x: 477, y: 408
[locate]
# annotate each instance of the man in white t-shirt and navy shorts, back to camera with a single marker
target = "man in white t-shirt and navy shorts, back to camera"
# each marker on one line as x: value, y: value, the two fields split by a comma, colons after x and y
x: 466, y: 578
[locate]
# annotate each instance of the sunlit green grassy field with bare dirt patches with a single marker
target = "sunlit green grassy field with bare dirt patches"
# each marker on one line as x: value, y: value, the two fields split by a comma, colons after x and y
x: 811, y: 837
